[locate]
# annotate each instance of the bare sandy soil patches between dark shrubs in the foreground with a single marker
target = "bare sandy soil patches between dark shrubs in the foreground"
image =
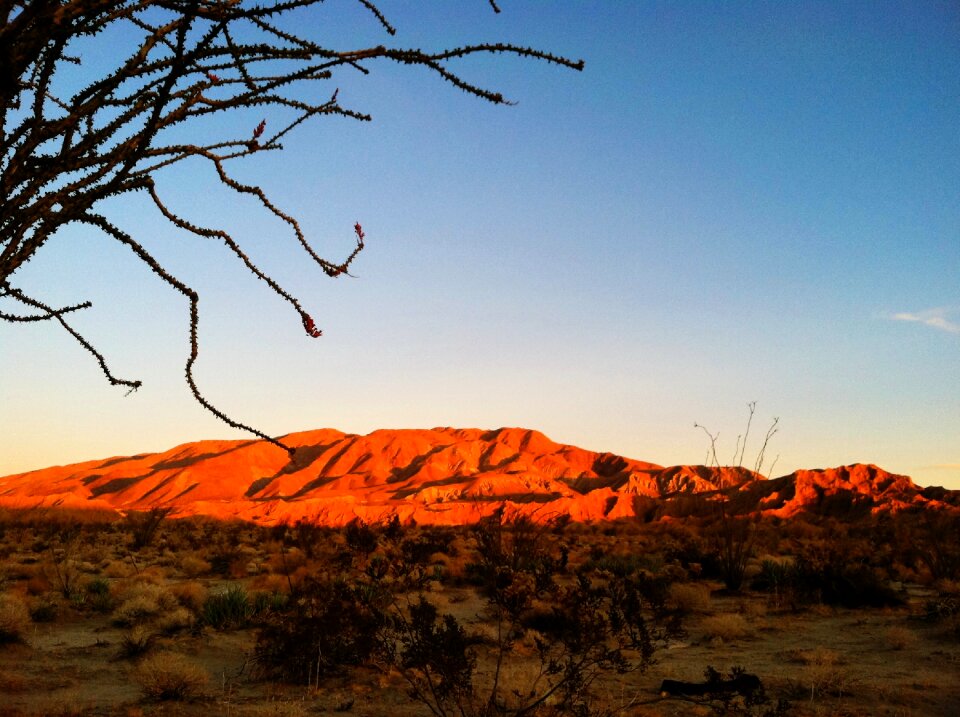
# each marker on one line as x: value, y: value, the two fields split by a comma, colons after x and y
x: 825, y: 661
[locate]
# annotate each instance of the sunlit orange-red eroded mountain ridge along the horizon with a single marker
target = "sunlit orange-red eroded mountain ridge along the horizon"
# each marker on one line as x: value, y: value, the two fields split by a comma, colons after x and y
x: 440, y: 476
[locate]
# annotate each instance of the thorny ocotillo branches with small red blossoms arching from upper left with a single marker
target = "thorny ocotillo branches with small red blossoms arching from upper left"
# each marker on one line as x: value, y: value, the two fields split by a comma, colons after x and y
x: 62, y: 155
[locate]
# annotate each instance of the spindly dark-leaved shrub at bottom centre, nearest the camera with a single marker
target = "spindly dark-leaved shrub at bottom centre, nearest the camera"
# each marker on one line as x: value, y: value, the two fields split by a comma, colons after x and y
x: 598, y: 624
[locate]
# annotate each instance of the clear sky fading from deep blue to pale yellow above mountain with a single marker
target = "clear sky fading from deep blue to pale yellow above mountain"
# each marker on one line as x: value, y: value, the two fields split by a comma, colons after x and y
x: 733, y: 202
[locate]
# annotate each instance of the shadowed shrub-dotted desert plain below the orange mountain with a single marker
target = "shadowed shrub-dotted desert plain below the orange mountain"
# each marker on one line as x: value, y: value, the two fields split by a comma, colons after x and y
x: 151, y: 615
